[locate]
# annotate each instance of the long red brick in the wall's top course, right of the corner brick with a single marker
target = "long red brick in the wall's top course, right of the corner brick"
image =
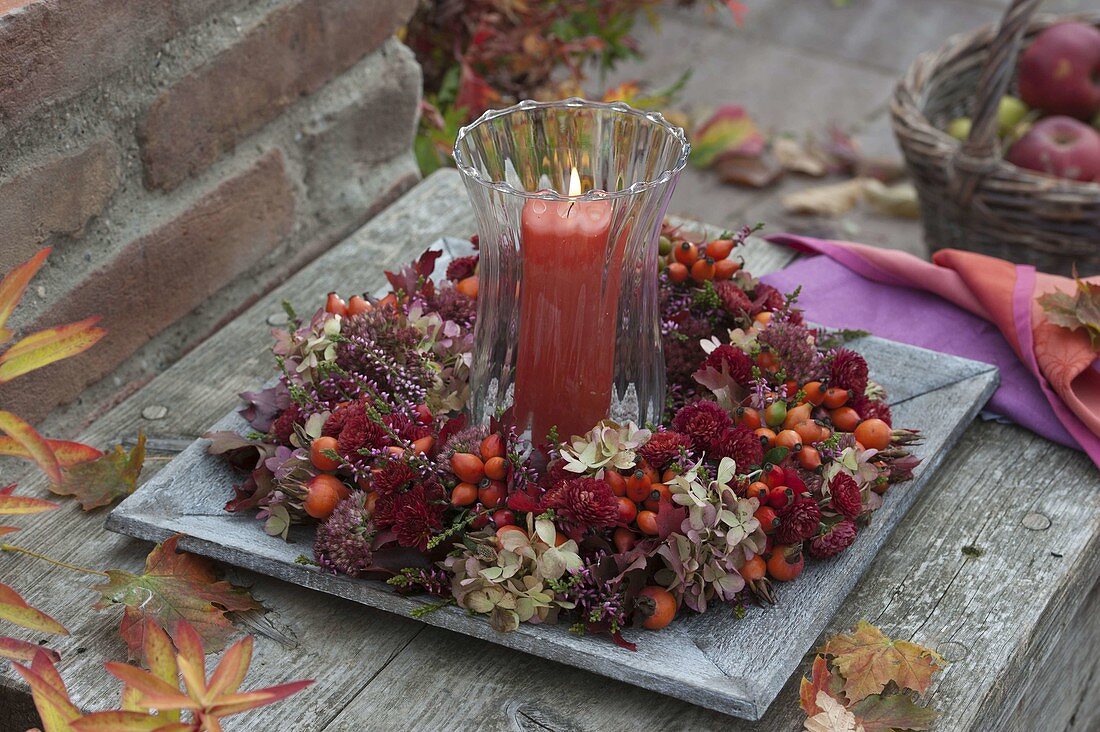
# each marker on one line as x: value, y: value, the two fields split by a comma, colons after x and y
x: 293, y: 52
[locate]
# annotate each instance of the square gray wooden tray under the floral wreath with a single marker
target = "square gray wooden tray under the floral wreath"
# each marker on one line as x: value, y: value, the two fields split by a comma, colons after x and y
x: 714, y: 661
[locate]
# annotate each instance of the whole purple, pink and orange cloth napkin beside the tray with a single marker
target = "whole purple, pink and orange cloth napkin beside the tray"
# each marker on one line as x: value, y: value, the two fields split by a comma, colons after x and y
x: 1061, y: 364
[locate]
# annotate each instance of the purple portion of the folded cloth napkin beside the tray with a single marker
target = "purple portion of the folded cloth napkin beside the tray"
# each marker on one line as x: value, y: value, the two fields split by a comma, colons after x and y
x: 839, y: 298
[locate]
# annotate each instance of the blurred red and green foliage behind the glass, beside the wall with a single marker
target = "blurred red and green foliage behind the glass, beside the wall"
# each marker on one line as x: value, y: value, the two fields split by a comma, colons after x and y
x: 482, y: 54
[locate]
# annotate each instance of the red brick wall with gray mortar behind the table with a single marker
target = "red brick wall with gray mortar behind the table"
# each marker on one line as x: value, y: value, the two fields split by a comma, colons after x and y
x: 183, y: 157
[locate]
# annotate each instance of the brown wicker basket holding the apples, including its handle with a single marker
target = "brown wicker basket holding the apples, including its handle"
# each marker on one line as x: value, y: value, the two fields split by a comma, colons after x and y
x: 971, y: 198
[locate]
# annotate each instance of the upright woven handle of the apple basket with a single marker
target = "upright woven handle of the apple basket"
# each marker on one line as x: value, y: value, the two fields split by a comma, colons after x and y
x: 982, y: 150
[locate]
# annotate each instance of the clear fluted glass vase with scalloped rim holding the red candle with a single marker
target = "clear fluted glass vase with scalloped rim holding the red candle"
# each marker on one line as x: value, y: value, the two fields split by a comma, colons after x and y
x: 569, y: 198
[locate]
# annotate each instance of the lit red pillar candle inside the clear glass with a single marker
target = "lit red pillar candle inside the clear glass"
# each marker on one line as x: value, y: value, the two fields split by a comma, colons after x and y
x: 569, y: 303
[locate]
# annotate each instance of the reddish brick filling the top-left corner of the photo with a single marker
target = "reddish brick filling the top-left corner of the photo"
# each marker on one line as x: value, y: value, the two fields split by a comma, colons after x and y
x: 51, y: 50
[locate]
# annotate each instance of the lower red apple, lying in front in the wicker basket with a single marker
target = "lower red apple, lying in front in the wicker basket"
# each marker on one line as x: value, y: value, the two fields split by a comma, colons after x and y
x: 1062, y: 147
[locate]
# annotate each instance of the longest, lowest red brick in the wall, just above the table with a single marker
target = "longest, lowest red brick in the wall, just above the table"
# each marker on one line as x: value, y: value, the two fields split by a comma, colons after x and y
x: 162, y: 277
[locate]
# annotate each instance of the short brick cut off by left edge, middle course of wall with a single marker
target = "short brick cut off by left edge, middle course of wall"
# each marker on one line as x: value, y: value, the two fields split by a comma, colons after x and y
x: 56, y: 198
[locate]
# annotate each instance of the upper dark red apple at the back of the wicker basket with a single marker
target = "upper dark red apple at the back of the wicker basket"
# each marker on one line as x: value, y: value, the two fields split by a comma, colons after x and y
x: 1060, y: 72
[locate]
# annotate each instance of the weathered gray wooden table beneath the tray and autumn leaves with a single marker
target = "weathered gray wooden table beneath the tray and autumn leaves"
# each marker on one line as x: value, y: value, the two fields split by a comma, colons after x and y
x: 996, y: 567
